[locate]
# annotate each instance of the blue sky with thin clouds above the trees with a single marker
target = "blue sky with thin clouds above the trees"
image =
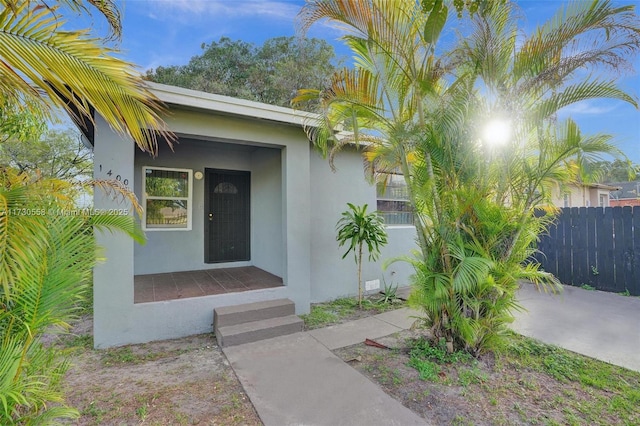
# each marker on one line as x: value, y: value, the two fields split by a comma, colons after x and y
x: 170, y: 32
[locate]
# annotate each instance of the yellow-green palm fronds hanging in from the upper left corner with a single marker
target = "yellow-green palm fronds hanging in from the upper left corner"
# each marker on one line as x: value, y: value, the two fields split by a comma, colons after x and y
x: 46, y: 68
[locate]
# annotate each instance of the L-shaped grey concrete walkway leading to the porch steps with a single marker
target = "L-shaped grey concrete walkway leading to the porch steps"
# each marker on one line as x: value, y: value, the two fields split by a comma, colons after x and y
x: 297, y: 380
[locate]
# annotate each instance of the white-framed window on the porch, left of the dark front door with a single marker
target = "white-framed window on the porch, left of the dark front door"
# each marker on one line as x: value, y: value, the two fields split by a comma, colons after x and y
x: 167, y: 199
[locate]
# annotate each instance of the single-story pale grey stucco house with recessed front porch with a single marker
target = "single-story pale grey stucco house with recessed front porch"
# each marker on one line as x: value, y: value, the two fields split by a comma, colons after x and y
x: 241, y: 210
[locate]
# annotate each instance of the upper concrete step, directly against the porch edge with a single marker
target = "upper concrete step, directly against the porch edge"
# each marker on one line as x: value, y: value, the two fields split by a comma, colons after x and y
x: 238, y: 314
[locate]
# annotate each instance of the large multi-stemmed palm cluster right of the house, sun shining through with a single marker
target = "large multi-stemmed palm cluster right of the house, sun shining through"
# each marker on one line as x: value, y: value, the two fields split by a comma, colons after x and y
x: 422, y: 113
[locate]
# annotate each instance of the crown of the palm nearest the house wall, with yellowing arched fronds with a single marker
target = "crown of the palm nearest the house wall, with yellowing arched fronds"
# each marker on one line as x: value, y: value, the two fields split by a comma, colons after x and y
x: 382, y: 100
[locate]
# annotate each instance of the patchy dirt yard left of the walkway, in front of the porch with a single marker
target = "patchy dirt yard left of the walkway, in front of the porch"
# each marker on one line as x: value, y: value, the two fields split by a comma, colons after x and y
x: 184, y: 381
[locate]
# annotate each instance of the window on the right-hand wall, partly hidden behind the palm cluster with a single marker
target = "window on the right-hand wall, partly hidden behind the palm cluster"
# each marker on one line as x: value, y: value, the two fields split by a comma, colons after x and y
x: 393, y: 199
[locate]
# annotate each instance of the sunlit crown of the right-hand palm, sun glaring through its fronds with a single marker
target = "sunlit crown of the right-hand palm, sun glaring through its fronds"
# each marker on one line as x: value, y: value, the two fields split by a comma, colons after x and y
x: 531, y: 80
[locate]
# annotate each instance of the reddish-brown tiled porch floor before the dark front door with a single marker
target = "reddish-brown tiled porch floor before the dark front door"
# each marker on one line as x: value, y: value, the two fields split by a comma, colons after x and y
x: 180, y: 285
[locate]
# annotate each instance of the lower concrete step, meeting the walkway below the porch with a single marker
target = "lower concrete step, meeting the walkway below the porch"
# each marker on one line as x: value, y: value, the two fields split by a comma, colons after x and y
x: 258, y: 330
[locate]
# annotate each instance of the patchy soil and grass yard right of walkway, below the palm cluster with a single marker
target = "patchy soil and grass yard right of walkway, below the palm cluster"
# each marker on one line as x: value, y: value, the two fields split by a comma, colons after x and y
x: 530, y: 384
